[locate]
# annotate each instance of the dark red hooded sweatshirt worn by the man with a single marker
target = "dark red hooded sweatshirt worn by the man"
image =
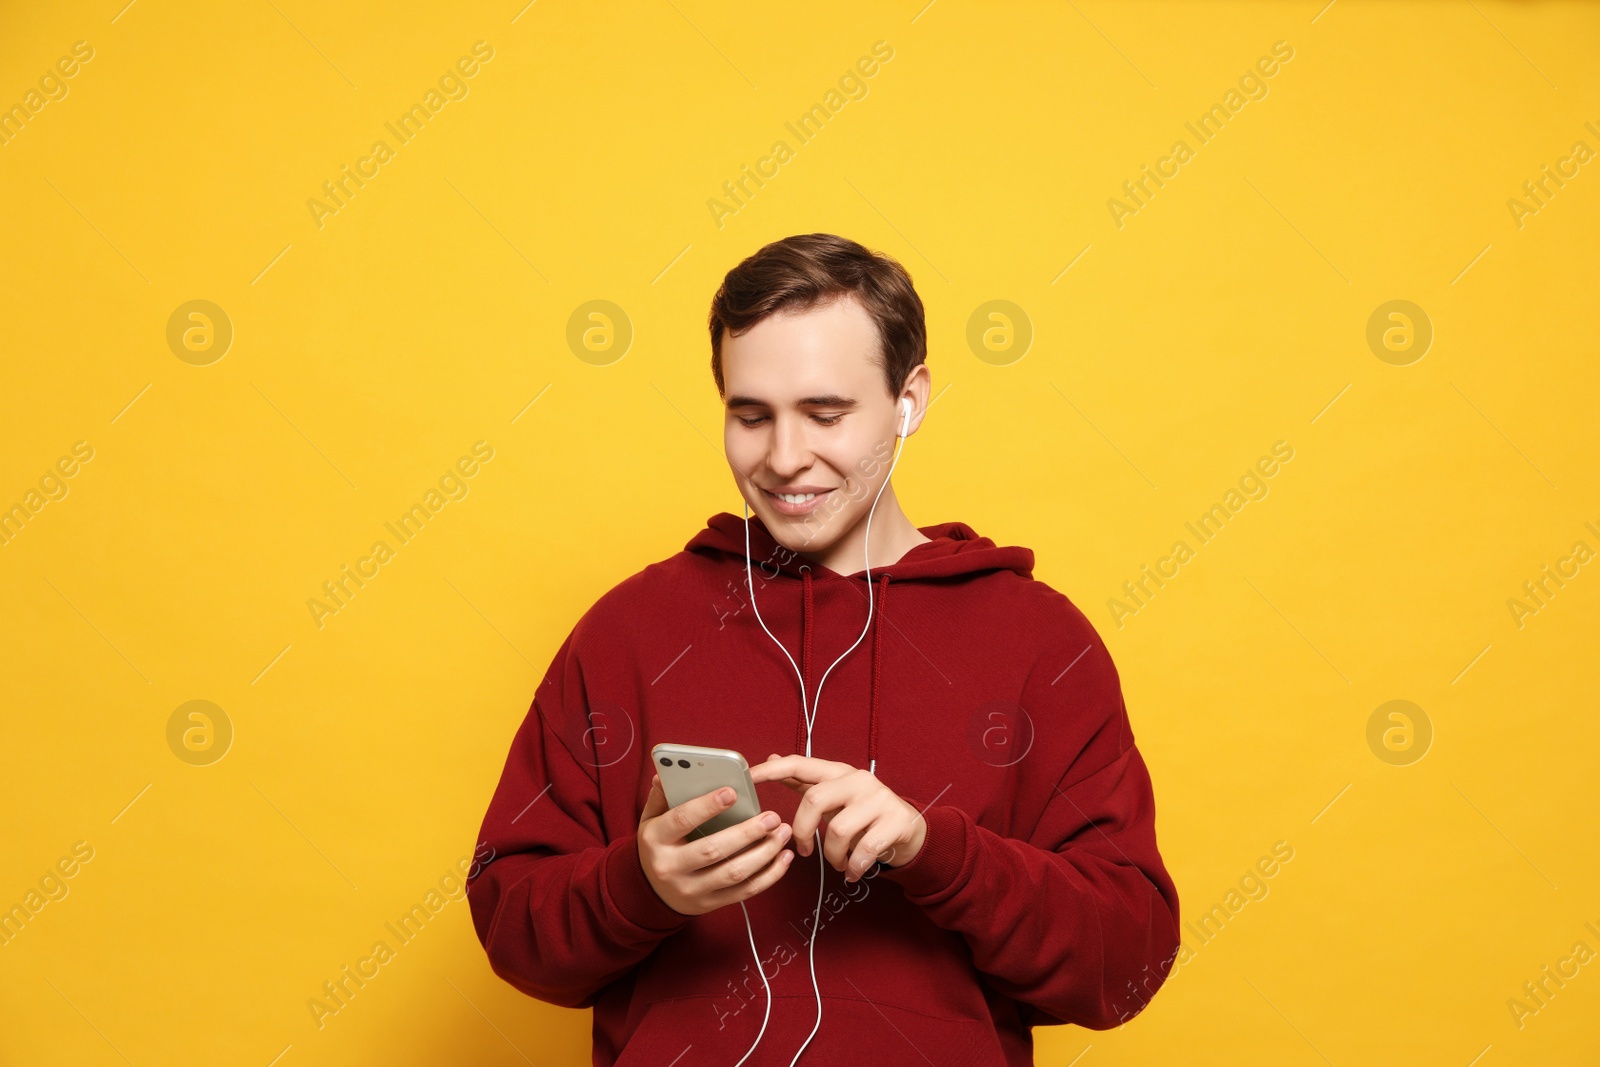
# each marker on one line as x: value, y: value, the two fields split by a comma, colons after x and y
x: 985, y: 698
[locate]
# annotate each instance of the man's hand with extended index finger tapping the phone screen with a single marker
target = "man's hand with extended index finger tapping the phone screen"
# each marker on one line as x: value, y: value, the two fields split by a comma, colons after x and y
x: 866, y: 820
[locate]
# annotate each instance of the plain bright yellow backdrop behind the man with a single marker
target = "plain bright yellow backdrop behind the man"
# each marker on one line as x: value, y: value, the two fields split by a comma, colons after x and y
x: 430, y: 313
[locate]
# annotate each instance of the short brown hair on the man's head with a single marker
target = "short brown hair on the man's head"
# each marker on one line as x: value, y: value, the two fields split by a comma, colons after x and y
x: 809, y: 270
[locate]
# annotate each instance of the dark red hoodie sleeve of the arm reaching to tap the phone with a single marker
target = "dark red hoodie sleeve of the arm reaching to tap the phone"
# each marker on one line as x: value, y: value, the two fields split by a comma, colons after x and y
x: 1081, y: 919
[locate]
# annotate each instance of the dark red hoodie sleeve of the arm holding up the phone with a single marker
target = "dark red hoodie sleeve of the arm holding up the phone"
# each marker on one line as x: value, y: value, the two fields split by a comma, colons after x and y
x: 561, y: 911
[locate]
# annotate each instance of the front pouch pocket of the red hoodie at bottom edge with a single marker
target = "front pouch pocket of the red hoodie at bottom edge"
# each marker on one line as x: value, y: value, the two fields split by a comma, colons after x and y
x: 686, y: 1033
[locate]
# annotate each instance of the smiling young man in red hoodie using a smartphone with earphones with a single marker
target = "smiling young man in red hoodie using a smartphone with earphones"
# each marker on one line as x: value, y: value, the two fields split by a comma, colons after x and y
x: 961, y: 839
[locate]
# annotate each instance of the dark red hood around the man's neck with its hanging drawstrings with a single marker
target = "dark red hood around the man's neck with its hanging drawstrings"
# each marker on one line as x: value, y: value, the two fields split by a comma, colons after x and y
x: 954, y: 551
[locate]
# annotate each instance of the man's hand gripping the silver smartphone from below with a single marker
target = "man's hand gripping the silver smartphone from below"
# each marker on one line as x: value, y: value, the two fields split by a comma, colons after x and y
x: 703, y: 874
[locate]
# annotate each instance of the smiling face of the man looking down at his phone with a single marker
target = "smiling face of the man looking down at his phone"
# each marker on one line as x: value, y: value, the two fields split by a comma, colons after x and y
x: 809, y: 415
